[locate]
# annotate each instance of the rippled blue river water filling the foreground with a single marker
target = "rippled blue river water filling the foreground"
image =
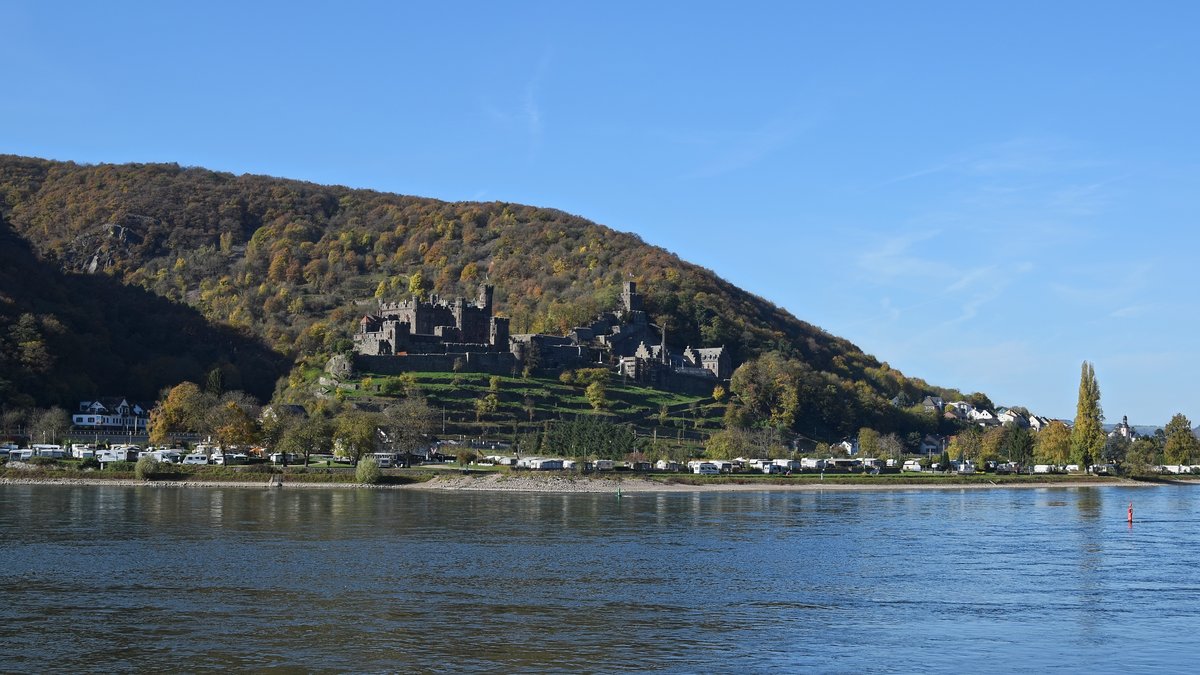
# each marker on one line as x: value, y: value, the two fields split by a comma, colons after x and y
x: 104, y: 580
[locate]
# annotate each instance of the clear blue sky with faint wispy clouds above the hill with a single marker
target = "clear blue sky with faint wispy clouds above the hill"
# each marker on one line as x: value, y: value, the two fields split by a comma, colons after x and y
x: 981, y: 195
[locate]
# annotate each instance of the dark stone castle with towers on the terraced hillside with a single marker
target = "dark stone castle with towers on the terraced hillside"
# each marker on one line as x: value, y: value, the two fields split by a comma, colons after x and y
x: 442, y: 336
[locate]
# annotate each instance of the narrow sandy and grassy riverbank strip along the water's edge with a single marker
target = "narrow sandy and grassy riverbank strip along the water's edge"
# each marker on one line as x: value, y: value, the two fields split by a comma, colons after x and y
x: 566, y: 485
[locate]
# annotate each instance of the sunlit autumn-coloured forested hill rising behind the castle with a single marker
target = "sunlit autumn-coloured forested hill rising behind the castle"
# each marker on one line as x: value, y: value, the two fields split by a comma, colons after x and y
x: 292, y: 262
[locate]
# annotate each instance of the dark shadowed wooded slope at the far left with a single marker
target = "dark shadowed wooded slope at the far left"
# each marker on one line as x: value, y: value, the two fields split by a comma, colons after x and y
x: 65, y: 337
